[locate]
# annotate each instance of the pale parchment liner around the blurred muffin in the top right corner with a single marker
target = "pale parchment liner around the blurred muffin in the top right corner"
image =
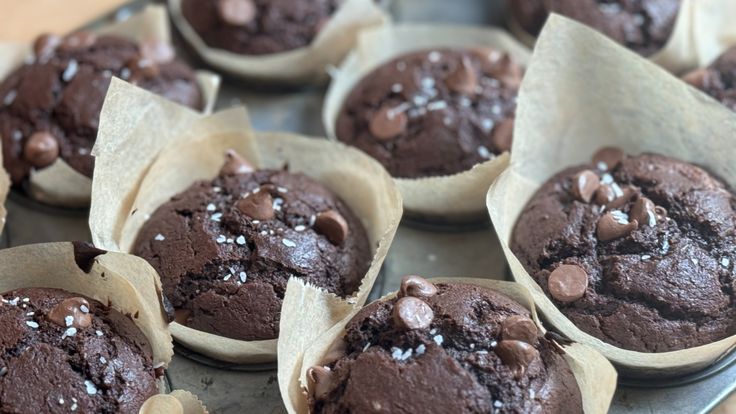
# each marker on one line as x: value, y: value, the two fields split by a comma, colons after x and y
x: 703, y: 30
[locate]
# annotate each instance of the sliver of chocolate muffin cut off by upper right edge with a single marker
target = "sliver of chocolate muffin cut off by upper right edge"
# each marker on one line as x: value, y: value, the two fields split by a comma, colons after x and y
x: 719, y: 79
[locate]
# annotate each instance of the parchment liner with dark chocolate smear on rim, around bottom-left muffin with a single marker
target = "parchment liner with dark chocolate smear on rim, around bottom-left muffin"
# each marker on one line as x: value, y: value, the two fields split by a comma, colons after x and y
x: 127, y: 282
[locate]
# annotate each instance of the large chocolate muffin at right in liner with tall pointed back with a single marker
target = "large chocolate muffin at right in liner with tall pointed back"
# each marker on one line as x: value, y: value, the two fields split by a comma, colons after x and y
x: 636, y: 251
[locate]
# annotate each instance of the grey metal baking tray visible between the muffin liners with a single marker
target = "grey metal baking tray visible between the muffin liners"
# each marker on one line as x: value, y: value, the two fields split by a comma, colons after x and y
x: 418, y: 249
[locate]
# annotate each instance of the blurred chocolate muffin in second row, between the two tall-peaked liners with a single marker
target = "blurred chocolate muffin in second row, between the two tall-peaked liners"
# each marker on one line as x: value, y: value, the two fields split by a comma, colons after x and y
x: 434, y: 112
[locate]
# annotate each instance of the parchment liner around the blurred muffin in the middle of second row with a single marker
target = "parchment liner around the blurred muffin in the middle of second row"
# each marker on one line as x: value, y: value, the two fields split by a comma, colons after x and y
x: 453, y: 198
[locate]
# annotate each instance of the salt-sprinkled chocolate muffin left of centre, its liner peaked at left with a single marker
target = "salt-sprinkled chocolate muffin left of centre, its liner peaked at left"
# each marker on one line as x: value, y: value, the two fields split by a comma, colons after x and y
x: 226, y: 248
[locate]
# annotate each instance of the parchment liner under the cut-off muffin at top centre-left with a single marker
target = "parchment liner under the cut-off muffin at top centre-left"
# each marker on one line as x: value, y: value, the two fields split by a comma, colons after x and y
x: 306, y: 65
